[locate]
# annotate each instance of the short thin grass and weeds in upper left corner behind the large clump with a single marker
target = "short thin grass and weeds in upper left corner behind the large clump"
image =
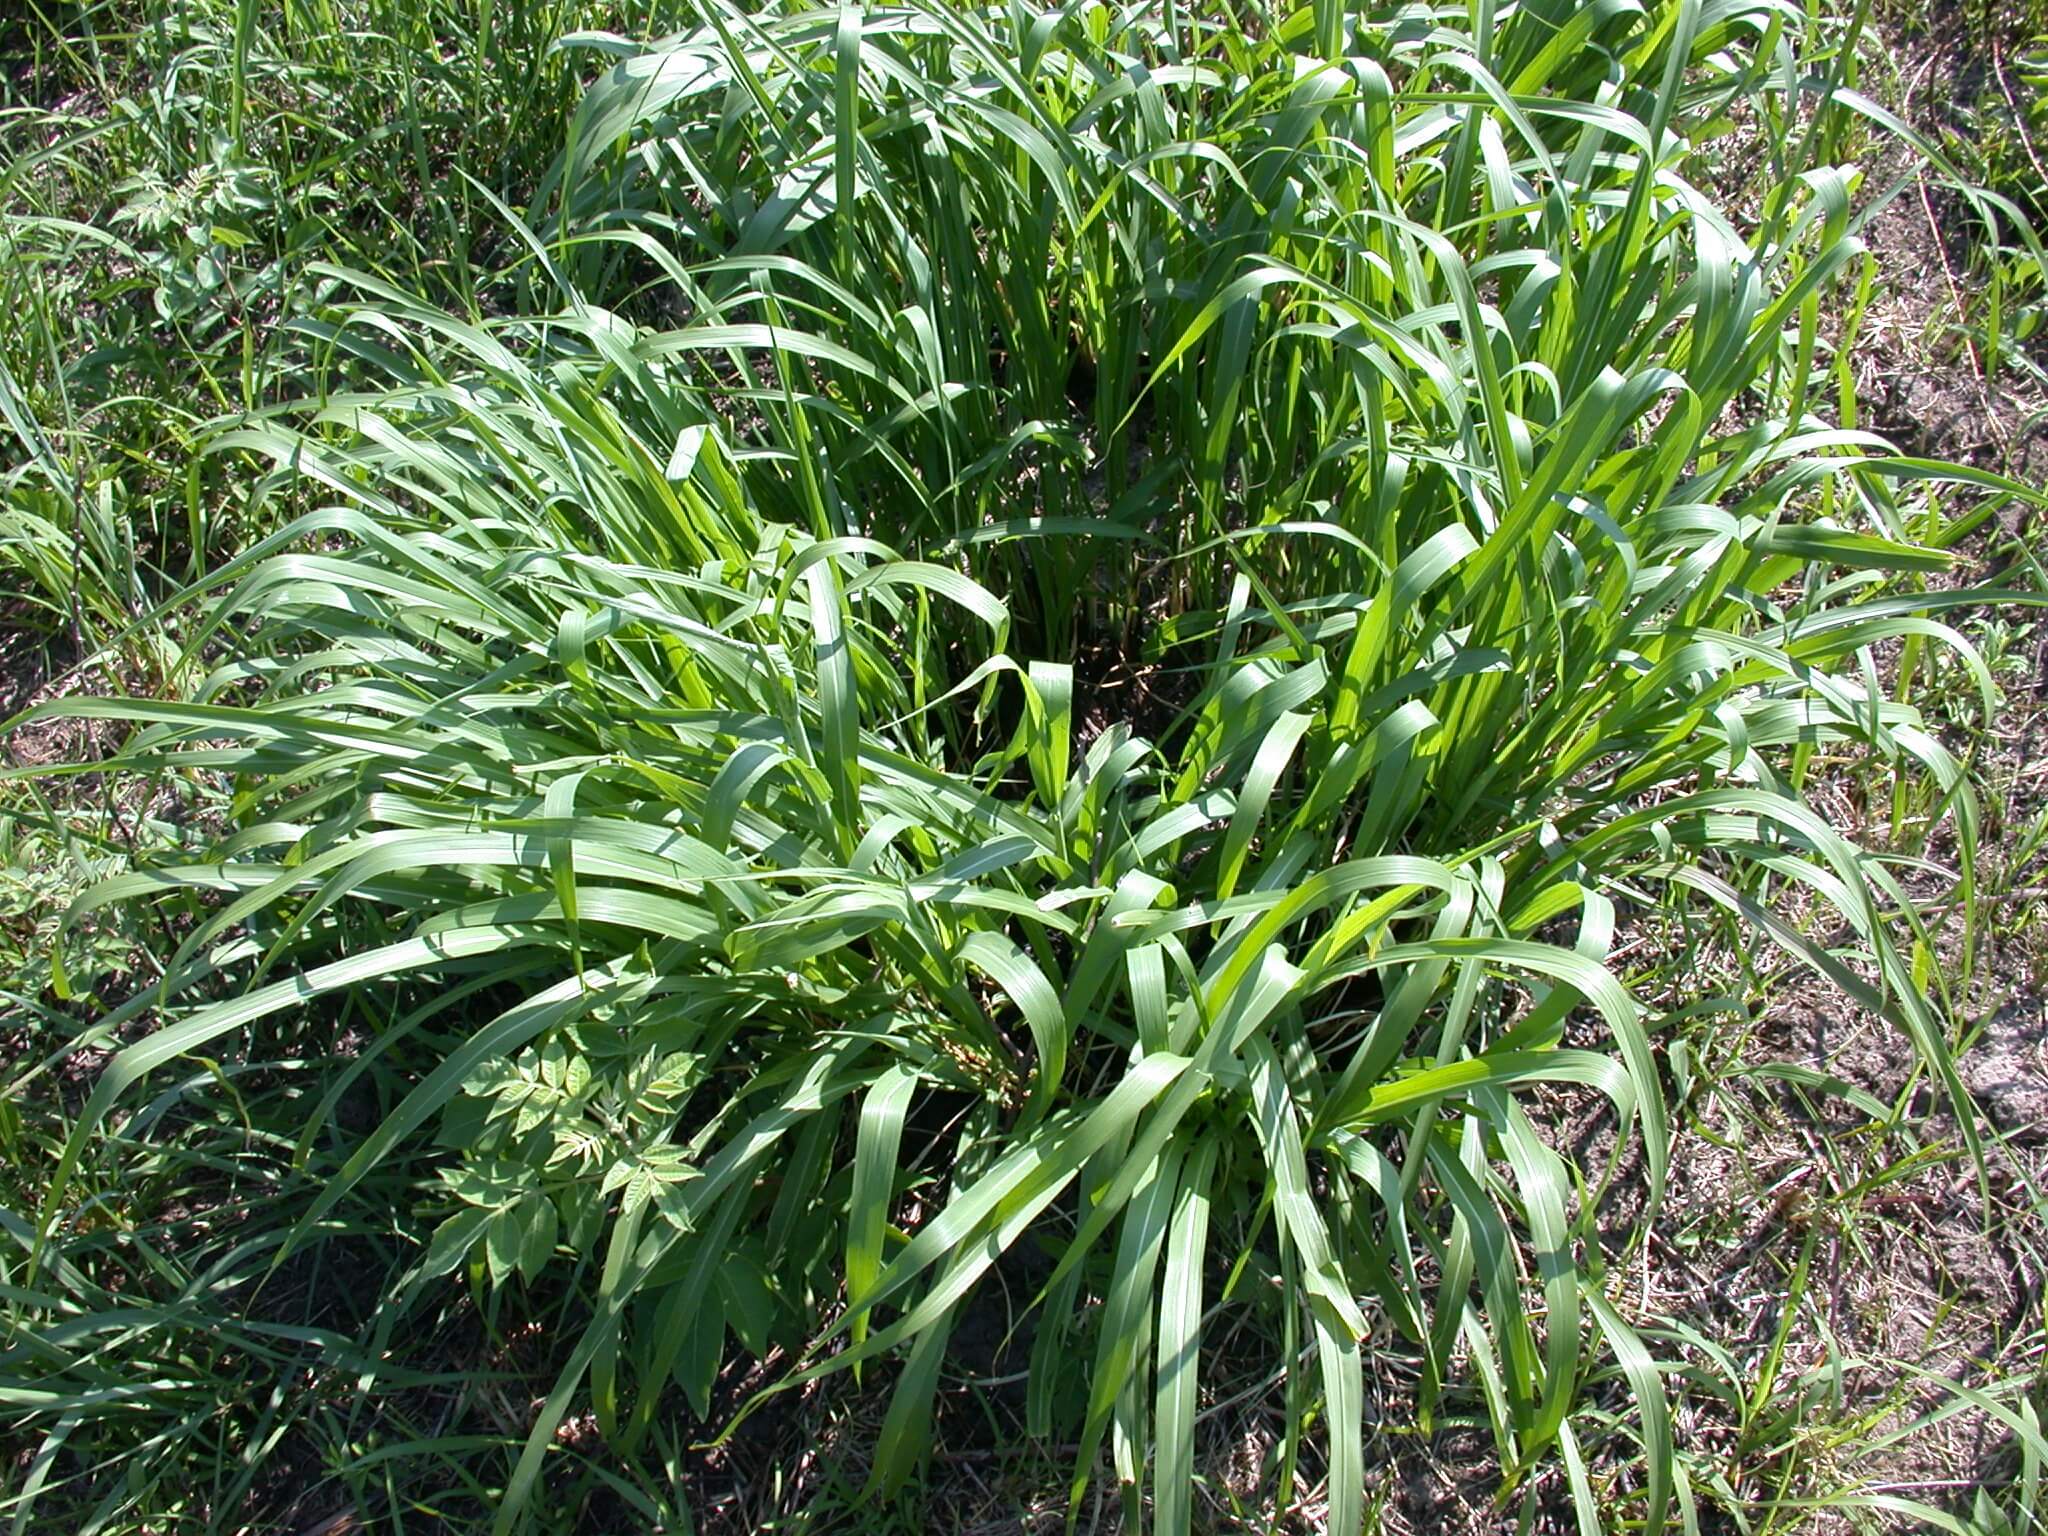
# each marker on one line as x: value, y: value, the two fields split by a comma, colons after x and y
x: 165, y: 208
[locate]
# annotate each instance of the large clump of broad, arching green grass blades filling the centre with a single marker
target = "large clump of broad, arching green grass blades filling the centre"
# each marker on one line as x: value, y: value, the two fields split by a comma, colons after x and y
x: 1039, y: 648
